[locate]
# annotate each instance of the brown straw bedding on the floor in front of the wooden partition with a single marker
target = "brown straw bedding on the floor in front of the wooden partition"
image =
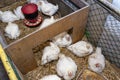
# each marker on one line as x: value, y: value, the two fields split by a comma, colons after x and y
x: 109, y: 72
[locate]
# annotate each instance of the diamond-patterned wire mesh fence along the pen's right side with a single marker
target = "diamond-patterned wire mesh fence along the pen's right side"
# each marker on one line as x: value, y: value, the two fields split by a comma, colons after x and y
x: 103, y: 30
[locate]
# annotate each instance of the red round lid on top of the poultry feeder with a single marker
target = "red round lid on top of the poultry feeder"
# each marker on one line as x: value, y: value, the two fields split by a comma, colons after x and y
x: 29, y: 8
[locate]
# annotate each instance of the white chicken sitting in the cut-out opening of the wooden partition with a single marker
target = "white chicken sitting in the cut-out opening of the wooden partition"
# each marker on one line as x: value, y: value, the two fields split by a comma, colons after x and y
x: 63, y: 39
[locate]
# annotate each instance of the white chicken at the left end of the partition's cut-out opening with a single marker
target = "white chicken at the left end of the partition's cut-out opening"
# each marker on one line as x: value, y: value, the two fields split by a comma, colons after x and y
x: 50, y: 53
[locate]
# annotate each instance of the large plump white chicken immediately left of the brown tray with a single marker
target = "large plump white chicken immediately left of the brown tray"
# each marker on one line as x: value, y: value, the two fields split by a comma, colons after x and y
x: 66, y: 67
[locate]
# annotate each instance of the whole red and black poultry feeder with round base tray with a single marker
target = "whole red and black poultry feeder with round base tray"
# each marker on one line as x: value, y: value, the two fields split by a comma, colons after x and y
x: 32, y: 18
